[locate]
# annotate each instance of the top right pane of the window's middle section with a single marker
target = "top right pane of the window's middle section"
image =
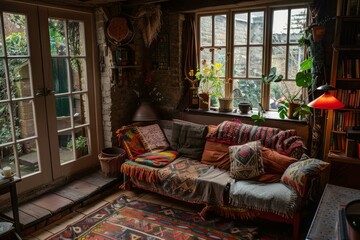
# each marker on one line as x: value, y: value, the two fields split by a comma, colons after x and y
x: 257, y: 28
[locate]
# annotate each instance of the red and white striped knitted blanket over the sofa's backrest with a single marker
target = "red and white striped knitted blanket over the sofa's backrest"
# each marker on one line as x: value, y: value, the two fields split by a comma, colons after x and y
x: 236, y: 133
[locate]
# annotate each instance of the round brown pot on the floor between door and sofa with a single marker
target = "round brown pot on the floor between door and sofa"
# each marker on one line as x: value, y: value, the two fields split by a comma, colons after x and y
x: 111, y: 160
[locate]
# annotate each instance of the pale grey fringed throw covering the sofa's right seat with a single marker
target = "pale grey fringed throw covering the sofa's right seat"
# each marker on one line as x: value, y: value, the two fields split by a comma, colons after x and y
x: 276, y: 198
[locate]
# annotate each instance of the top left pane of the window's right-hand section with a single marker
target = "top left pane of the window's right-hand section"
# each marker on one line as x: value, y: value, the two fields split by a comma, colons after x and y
x: 280, y: 26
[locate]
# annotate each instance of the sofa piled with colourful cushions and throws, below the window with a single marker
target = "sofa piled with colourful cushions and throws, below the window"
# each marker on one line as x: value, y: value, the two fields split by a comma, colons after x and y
x: 234, y: 169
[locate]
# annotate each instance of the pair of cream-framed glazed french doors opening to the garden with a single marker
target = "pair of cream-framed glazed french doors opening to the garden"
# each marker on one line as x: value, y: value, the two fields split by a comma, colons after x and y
x: 47, y: 127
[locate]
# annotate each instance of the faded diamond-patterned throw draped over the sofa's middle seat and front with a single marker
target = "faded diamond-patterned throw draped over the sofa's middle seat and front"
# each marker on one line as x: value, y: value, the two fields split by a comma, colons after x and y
x: 191, y: 181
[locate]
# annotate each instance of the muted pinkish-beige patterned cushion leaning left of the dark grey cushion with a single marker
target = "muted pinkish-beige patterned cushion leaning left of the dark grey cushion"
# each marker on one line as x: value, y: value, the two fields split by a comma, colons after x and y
x: 153, y: 138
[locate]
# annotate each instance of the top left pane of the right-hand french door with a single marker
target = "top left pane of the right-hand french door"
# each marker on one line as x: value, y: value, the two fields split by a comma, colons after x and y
x: 57, y: 37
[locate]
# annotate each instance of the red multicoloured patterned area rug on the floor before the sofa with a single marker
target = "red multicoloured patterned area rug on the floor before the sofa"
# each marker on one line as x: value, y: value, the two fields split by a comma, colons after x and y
x: 134, y: 219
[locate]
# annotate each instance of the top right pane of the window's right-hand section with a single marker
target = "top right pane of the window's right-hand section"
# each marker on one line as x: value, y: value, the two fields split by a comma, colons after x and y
x: 297, y: 24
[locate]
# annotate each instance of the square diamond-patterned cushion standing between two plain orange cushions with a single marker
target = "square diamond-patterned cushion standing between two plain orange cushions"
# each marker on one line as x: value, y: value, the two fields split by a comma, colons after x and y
x: 246, y: 161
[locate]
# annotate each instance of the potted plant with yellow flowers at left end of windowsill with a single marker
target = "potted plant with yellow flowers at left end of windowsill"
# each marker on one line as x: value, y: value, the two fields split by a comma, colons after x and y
x: 209, y: 82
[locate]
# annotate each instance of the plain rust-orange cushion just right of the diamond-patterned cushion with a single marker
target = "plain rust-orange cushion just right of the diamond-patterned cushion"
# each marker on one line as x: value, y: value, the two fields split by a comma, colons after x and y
x: 275, y: 162
